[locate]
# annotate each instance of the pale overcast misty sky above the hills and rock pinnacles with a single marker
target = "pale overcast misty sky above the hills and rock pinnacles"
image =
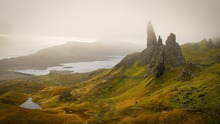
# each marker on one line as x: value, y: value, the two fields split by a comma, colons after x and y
x: 126, y: 20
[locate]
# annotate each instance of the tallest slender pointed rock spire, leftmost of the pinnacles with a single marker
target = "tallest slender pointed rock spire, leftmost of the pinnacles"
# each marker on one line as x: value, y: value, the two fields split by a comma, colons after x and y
x: 151, y: 37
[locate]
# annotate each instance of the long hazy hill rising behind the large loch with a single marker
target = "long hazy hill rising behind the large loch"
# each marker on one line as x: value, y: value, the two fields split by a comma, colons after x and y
x: 66, y: 53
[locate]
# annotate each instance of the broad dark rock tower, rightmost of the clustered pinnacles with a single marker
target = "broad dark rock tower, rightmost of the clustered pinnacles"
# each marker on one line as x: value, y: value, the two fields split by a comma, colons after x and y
x: 173, y: 53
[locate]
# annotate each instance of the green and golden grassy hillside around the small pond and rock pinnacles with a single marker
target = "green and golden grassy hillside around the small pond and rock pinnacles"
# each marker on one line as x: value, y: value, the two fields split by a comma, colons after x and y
x: 123, y: 94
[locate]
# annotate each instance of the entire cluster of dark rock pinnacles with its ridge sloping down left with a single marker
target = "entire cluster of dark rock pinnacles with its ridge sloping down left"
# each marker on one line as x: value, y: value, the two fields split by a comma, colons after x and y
x: 156, y: 55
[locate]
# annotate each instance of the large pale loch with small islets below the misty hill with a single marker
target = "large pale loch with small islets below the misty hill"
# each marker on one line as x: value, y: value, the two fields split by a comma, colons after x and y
x: 79, y: 67
